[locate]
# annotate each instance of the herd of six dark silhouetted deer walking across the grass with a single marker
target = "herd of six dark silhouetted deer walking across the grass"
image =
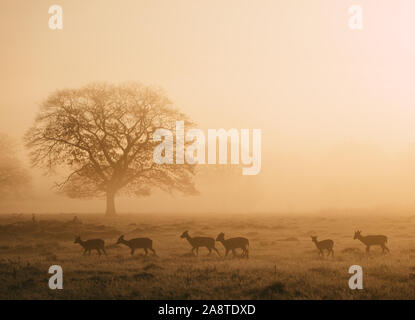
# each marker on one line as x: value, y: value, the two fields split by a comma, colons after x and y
x: 229, y: 244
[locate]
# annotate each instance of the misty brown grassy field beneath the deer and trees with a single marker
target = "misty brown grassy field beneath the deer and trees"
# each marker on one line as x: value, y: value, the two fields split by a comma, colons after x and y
x: 283, y: 263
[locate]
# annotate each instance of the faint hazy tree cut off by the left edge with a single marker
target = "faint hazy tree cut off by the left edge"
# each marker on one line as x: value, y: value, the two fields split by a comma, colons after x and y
x: 14, y: 179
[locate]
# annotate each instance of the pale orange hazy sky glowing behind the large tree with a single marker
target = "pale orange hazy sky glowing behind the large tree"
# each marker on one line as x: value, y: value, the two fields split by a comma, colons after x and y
x: 336, y: 107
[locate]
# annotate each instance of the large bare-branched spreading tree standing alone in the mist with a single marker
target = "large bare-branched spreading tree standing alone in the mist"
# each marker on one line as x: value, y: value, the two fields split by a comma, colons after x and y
x: 103, y: 134
